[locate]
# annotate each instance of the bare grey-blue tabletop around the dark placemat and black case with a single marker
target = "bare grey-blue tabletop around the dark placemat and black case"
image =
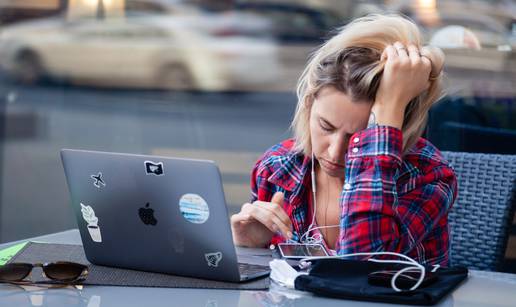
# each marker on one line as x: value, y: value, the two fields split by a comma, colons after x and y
x: 481, y: 289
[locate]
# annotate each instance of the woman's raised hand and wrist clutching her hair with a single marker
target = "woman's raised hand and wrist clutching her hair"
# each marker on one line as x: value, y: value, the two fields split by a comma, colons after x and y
x: 406, y: 75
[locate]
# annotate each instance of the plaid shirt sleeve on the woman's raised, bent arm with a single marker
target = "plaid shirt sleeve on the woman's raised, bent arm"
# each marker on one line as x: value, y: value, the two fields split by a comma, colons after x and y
x: 374, y: 216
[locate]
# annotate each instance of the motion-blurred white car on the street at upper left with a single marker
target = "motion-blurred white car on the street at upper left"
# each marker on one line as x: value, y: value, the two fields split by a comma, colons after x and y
x: 147, y: 51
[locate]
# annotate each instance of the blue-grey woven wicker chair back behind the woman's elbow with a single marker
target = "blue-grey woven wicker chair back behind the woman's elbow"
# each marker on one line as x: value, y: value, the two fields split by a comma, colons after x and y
x: 482, y: 215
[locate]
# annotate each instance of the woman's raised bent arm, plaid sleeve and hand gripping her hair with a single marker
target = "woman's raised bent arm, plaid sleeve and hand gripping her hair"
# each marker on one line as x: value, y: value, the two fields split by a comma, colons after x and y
x: 374, y: 217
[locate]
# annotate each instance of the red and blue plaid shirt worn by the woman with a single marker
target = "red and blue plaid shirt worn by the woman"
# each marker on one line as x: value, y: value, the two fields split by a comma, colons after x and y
x: 389, y: 202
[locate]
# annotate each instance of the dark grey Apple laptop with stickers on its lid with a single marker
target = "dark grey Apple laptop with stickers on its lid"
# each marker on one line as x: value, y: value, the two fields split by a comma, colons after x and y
x: 157, y: 214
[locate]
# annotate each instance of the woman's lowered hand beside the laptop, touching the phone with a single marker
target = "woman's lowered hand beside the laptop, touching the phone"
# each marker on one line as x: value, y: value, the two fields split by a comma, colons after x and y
x: 257, y: 223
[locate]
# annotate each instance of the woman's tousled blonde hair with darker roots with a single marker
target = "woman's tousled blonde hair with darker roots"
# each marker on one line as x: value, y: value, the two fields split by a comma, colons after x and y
x: 351, y: 62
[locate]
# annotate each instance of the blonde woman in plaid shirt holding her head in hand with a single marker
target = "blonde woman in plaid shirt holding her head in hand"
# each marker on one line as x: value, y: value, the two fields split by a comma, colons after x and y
x: 357, y: 176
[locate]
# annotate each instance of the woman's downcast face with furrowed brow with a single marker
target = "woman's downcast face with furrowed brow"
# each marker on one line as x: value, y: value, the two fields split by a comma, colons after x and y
x: 333, y: 120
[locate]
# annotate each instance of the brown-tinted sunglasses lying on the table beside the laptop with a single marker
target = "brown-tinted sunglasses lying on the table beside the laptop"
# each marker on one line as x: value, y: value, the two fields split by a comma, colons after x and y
x: 61, y: 271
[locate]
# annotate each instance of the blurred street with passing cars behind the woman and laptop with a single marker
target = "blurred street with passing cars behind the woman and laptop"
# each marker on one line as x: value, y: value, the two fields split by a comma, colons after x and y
x: 212, y: 80
